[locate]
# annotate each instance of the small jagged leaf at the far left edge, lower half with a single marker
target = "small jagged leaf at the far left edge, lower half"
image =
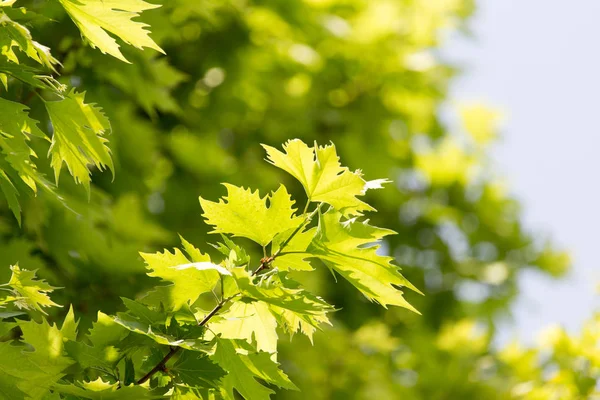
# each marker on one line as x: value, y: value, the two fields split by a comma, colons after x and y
x: 32, y: 294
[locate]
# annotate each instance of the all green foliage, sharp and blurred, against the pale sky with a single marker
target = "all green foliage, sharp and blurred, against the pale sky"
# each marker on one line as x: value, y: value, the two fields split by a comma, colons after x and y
x: 85, y: 84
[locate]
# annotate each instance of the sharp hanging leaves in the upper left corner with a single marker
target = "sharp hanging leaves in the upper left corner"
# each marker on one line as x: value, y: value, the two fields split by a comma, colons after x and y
x: 78, y: 129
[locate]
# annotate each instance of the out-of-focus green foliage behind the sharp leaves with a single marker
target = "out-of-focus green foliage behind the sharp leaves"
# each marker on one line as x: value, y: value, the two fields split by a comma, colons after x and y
x: 364, y: 74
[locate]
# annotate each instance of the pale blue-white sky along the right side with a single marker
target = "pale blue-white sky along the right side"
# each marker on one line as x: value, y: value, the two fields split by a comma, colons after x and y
x: 538, y: 61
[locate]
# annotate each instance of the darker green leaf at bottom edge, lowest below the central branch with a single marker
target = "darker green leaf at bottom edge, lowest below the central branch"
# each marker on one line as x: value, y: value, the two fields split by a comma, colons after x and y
x: 244, y: 368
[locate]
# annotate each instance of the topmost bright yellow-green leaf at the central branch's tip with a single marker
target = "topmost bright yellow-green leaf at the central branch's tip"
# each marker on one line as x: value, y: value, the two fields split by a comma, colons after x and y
x: 320, y: 172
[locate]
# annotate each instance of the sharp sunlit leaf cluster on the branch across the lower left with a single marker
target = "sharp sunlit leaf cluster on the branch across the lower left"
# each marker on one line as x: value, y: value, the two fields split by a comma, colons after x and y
x: 192, y: 352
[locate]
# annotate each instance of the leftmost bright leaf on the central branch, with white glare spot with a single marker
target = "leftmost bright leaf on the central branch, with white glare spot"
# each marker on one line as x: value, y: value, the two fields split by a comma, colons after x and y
x: 189, y: 279
